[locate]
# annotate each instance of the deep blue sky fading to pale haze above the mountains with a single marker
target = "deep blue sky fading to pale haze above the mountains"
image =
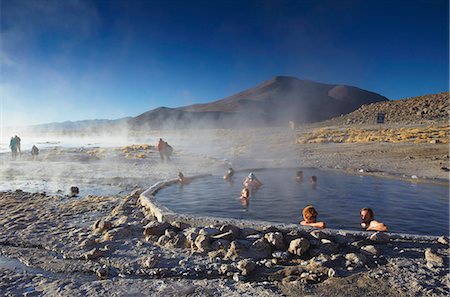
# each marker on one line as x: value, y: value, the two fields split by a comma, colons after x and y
x: 75, y: 60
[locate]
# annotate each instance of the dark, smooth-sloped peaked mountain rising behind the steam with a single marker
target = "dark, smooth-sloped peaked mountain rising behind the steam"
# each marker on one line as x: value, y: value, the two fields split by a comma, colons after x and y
x: 274, y: 102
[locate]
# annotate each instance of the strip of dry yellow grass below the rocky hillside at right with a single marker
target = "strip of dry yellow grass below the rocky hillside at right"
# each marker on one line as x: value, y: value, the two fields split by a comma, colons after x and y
x: 438, y: 134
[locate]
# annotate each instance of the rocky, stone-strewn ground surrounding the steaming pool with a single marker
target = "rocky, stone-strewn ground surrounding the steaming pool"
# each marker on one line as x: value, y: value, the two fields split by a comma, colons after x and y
x: 52, y: 244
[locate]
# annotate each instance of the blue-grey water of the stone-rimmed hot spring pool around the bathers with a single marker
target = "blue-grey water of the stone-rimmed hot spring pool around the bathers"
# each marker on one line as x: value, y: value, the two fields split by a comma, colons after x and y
x: 405, y: 207
